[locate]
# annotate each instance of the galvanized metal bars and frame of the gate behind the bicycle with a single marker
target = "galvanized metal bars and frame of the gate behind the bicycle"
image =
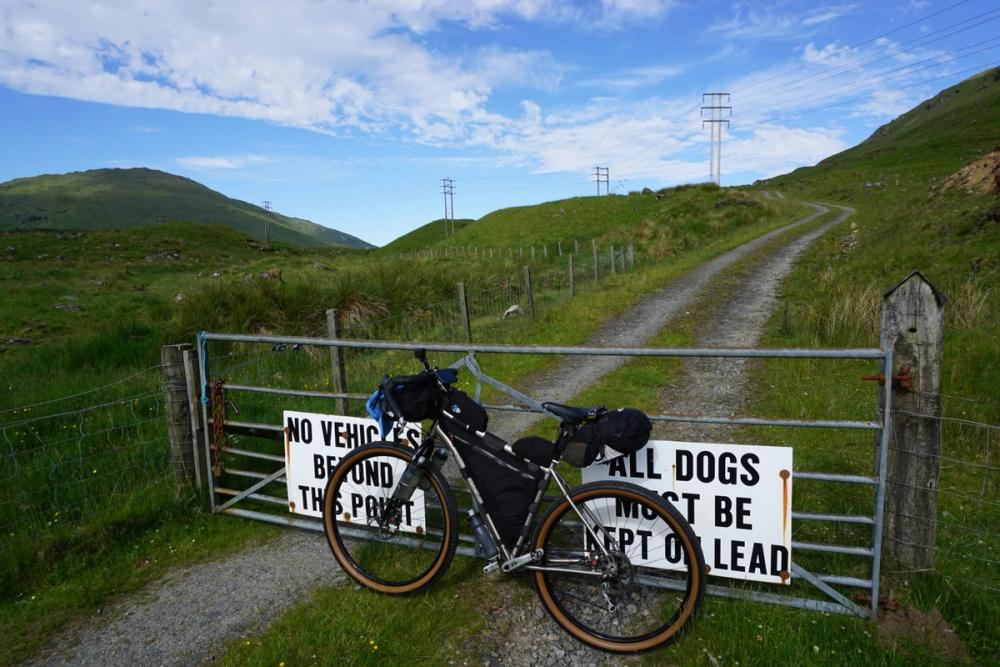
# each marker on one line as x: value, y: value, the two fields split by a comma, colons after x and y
x: 837, y: 602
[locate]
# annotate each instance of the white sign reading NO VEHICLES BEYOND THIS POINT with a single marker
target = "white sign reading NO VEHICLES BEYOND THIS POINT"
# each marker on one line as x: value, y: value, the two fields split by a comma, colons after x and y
x: 315, y: 443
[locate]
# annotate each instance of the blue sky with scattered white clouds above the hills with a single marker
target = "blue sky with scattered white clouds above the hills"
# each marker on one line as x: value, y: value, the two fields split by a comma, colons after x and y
x: 350, y: 113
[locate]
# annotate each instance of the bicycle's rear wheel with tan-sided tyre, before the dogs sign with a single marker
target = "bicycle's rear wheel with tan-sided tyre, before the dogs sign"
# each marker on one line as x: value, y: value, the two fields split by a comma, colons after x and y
x: 623, y: 572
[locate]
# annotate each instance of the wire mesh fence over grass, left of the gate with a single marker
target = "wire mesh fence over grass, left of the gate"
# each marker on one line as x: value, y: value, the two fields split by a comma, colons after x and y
x: 72, y: 464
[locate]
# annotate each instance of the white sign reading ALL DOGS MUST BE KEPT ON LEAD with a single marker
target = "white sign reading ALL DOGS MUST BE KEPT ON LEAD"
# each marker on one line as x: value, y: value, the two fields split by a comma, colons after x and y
x: 738, y: 499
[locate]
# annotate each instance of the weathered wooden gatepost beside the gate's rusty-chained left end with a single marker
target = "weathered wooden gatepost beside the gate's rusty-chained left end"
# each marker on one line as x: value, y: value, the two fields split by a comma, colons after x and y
x: 177, y: 406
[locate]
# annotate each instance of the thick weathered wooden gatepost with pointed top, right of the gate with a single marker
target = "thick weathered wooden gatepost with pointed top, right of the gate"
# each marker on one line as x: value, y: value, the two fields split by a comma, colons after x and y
x: 912, y: 318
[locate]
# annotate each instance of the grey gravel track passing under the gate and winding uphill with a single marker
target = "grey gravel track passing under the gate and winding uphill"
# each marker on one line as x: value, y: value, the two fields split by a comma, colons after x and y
x: 188, y: 616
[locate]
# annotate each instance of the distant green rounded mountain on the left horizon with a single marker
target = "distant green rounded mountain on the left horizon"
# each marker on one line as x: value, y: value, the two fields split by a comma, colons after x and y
x: 135, y: 198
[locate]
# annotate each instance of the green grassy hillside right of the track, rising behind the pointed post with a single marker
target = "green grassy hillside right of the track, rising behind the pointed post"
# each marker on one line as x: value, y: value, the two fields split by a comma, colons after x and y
x: 906, y: 221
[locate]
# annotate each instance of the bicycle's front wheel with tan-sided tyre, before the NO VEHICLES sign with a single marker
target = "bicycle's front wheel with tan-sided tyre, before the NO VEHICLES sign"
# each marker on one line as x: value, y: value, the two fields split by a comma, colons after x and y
x: 390, y: 547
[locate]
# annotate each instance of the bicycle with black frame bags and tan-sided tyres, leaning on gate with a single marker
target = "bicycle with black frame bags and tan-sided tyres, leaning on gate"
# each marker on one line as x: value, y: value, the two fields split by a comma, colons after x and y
x: 614, y: 564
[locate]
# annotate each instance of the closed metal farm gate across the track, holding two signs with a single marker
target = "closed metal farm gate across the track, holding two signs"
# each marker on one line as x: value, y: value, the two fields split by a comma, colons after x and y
x: 259, y: 470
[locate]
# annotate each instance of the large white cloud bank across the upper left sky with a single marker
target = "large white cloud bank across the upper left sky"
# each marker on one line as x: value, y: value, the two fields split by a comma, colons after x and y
x: 327, y: 67
